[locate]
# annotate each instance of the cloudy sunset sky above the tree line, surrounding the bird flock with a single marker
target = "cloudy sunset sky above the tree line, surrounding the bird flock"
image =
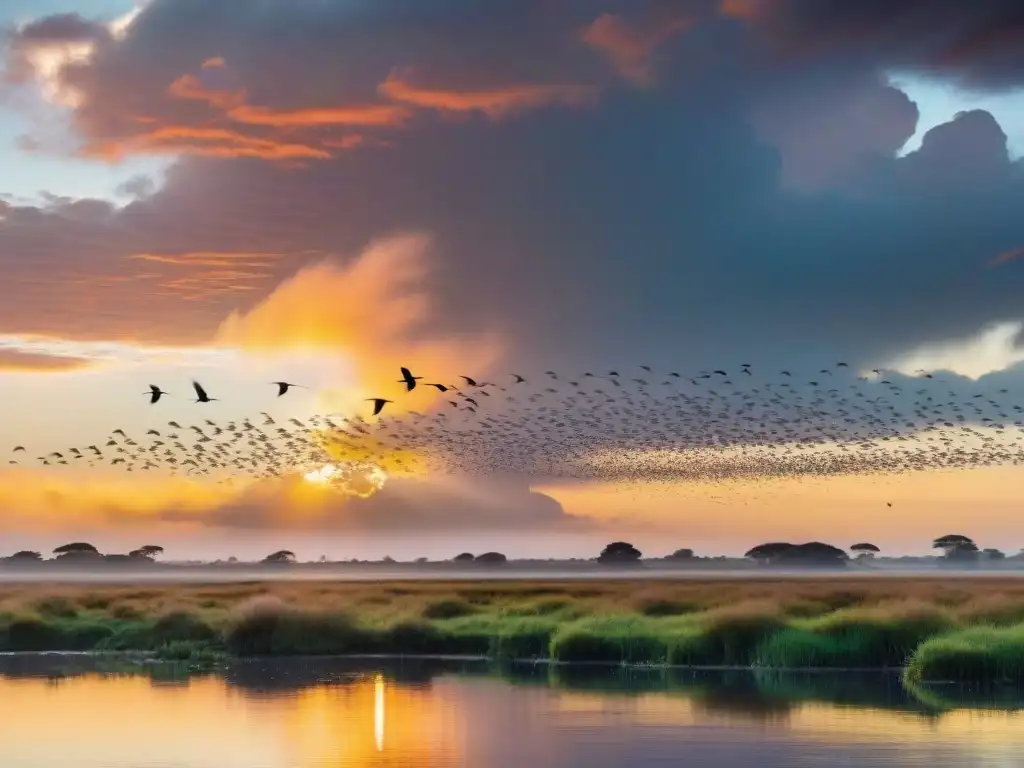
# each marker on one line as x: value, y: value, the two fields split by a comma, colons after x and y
x: 323, y: 192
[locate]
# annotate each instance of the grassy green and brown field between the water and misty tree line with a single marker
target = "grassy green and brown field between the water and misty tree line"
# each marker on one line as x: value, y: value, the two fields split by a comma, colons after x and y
x: 967, y: 629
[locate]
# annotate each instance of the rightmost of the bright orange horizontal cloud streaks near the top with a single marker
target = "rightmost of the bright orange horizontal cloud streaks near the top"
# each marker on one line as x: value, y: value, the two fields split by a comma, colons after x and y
x: 495, y: 103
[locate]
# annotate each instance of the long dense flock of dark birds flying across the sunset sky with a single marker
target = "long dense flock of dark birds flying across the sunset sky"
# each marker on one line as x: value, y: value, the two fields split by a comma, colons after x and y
x: 621, y: 425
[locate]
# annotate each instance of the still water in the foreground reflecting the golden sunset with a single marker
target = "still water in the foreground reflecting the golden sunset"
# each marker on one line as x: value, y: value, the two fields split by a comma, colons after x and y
x: 88, y: 713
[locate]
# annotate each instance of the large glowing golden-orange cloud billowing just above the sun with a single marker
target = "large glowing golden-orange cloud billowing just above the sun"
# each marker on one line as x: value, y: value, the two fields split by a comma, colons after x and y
x: 370, y: 313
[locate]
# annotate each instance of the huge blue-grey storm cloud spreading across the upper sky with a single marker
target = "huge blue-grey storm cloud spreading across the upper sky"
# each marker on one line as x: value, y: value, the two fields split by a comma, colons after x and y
x: 743, y: 203
